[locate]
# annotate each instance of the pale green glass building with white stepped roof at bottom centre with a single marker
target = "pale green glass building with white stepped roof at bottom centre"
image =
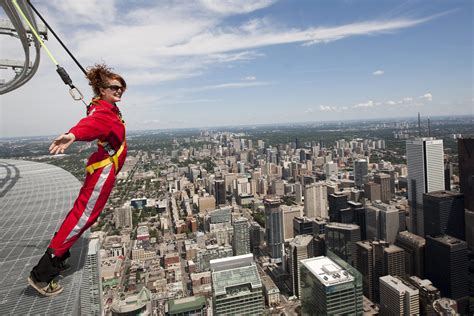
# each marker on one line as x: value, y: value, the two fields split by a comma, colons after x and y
x: 236, y: 286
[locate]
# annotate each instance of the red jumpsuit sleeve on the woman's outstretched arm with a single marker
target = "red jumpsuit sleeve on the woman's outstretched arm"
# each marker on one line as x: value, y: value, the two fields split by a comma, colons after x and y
x: 95, y: 126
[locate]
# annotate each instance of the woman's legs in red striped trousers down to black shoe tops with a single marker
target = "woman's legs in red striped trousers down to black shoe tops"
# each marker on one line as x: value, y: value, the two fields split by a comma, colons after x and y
x: 85, y: 211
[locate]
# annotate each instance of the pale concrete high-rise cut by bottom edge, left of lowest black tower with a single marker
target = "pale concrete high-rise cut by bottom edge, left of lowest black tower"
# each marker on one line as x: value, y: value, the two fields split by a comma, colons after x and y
x: 398, y: 297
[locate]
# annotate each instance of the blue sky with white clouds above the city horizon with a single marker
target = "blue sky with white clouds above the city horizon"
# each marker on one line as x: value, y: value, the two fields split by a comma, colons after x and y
x: 213, y: 63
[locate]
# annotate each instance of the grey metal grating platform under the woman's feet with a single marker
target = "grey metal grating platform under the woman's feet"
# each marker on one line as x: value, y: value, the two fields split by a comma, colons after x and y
x: 35, y: 198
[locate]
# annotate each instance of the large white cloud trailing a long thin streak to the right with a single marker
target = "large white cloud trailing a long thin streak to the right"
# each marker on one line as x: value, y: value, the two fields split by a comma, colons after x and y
x: 154, y: 42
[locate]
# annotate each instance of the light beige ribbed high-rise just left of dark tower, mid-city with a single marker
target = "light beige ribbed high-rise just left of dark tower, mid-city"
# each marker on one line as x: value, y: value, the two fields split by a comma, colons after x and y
x: 315, y: 200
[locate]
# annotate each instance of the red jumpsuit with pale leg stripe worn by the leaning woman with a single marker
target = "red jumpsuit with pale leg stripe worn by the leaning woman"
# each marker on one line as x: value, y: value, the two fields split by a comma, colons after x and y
x: 103, y: 122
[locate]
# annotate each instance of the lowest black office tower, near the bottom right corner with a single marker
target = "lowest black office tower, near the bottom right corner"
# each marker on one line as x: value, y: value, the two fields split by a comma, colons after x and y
x: 446, y: 265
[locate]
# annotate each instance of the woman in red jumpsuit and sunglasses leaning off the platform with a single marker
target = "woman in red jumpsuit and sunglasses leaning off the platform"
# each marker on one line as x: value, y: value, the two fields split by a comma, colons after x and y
x: 104, y: 123
